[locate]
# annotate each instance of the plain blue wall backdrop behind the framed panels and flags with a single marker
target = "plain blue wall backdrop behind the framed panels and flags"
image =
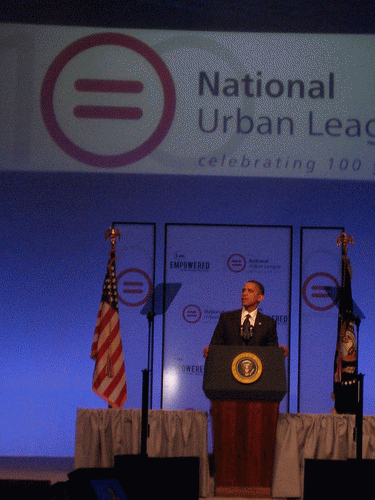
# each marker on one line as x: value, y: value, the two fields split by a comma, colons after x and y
x: 53, y: 258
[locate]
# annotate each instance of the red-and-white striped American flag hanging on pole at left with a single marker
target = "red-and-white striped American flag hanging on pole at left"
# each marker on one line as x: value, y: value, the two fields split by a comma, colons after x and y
x: 109, y: 381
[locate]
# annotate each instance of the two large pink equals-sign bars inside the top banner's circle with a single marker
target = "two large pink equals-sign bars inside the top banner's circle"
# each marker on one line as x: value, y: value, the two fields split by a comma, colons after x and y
x: 108, y: 112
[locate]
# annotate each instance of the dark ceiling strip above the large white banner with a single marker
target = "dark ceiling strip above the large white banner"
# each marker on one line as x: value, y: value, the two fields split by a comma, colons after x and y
x: 330, y: 16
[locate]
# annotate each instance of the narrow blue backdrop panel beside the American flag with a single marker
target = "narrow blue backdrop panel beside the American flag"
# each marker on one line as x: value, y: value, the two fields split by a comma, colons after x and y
x: 135, y: 268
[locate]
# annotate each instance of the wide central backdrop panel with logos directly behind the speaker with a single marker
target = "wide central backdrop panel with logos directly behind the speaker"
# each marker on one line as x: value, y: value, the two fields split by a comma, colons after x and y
x: 212, y: 263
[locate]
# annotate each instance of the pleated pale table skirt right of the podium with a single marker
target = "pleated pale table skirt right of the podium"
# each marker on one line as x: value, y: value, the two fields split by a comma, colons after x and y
x: 324, y: 437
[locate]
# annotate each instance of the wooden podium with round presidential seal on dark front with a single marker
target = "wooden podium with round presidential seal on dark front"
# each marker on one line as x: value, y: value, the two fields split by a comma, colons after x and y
x: 245, y: 386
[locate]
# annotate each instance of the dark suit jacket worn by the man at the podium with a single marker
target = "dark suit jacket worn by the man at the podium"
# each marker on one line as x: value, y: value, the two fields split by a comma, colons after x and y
x: 228, y: 330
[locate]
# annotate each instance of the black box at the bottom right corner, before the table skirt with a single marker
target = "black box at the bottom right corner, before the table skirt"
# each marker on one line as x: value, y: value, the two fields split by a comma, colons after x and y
x: 328, y: 479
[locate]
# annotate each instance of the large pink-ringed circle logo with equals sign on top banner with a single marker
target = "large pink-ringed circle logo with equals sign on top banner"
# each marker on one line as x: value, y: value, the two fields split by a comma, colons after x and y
x: 113, y: 98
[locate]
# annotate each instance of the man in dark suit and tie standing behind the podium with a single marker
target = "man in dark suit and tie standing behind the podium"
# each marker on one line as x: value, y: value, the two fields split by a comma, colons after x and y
x: 246, y: 326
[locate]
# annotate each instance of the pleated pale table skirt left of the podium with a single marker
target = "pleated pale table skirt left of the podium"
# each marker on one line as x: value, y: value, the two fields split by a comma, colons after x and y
x: 103, y: 434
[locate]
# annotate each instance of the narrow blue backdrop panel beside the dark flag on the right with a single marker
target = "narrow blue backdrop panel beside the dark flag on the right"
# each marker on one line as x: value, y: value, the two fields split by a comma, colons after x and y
x: 320, y: 268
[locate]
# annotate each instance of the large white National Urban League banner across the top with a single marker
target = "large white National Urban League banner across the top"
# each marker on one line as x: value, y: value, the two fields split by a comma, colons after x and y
x: 172, y: 102
